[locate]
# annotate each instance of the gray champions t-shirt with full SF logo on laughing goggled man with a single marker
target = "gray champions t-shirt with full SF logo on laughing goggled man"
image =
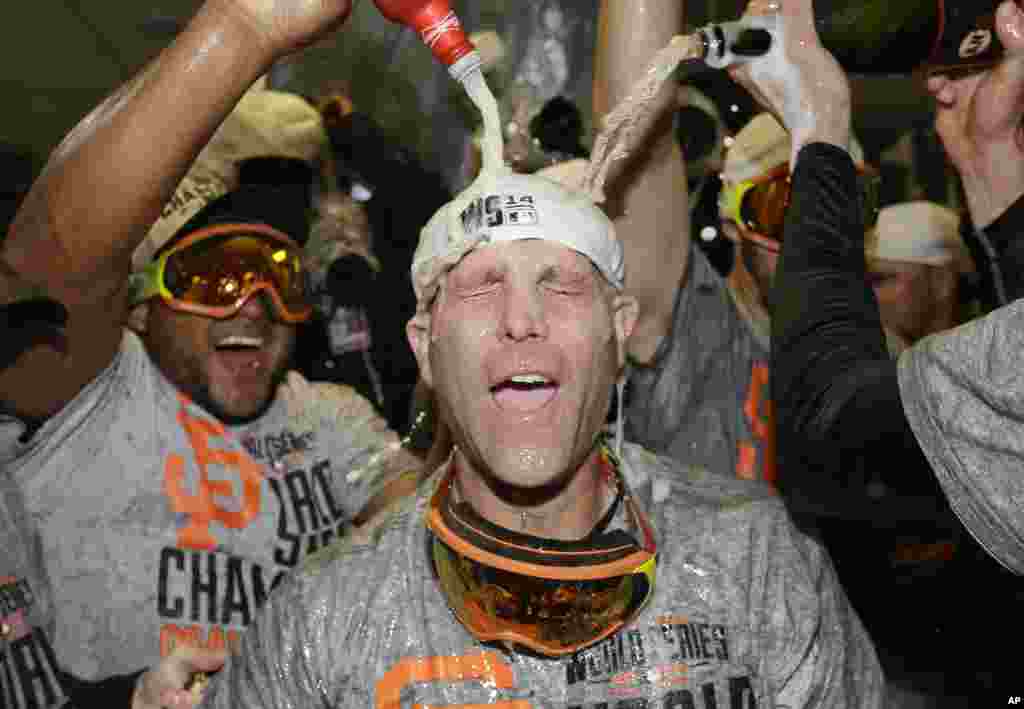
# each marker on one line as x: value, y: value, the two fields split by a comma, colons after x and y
x: 161, y: 525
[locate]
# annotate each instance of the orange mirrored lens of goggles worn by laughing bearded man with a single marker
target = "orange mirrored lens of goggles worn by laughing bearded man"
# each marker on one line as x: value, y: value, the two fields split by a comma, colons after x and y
x: 222, y: 272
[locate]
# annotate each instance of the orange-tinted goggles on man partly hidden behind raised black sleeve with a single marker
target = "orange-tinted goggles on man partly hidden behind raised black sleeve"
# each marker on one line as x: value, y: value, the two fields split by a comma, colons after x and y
x: 759, y: 205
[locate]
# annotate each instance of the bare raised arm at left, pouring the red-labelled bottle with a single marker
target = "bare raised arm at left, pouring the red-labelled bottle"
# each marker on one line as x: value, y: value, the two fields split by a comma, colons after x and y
x: 107, y: 183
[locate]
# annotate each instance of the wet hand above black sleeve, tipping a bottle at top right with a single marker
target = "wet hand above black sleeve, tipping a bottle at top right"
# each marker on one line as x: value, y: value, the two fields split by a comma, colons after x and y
x: 798, y: 79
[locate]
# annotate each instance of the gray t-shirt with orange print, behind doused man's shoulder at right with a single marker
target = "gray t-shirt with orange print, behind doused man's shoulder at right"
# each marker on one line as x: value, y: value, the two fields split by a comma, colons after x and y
x: 705, y: 398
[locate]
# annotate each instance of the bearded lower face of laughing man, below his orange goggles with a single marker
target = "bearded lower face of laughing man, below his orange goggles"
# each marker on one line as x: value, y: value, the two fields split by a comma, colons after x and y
x: 230, y: 367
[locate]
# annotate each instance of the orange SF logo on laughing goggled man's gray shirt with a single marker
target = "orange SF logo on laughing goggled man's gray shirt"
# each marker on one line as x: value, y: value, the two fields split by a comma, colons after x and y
x: 201, y: 507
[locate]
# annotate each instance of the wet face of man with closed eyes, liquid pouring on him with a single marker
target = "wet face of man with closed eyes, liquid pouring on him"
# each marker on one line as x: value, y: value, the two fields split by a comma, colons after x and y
x: 523, y: 347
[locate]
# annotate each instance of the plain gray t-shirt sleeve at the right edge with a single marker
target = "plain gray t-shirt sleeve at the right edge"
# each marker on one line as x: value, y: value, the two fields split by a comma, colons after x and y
x: 963, y: 392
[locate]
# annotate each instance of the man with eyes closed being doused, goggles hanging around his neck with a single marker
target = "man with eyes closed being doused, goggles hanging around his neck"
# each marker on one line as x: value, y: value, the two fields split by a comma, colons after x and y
x: 547, y: 563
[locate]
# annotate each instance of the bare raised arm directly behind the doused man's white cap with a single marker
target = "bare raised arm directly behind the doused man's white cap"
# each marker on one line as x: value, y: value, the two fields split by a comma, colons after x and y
x: 648, y: 195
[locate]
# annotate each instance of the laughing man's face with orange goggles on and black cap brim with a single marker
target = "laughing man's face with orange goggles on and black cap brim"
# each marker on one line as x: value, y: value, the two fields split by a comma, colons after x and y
x: 221, y: 302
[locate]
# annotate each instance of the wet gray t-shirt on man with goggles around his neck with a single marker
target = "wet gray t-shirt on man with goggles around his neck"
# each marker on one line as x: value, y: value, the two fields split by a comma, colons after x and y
x: 747, y: 612
